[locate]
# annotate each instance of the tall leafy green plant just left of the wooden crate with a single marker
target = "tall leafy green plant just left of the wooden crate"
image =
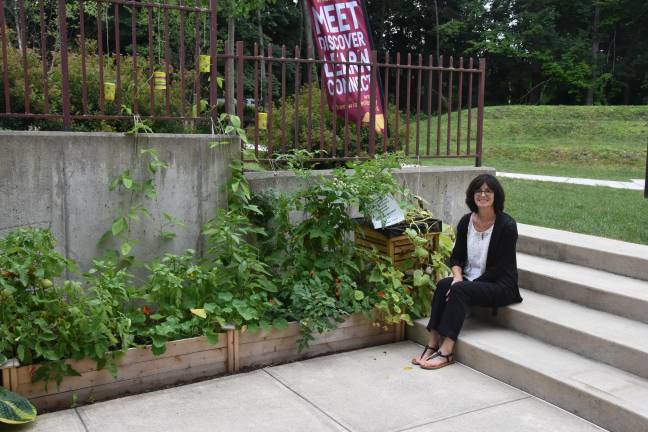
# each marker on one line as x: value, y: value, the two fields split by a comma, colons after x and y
x: 323, y: 276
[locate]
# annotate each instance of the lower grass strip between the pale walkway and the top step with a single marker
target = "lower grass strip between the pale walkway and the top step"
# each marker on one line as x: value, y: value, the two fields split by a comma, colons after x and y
x: 614, y: 213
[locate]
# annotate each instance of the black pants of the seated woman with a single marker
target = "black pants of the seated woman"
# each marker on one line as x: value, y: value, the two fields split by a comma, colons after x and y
x: 447, y: 317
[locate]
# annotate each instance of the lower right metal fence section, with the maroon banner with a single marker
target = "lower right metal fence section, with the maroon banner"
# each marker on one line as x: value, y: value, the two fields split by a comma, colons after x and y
x: 434, y: 109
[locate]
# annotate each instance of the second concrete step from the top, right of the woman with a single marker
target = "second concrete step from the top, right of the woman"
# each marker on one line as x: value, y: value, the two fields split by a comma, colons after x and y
x: 596, y: 289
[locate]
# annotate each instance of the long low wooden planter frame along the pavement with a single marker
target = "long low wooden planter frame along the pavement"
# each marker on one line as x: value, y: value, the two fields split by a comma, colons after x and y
x: 186, y: 360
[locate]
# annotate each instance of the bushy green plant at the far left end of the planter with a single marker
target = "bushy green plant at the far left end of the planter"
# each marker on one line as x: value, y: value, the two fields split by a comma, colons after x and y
x: 44, y: 321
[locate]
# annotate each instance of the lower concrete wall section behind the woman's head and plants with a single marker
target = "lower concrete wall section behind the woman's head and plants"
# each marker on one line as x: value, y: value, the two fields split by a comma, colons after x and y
x: 443, y: 187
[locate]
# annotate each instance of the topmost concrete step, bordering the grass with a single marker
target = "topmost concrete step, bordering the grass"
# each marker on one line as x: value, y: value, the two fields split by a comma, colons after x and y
x: 623, y: 258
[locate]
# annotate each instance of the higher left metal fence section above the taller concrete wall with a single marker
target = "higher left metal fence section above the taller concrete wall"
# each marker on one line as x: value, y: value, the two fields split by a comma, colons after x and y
x: 148, y: 21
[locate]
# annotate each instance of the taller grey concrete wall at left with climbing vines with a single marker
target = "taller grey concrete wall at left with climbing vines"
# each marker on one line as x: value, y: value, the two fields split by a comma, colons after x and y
x: 60, y: 180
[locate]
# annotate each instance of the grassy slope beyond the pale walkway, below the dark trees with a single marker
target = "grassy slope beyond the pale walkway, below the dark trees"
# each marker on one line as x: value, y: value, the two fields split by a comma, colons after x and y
x: 577, y: 141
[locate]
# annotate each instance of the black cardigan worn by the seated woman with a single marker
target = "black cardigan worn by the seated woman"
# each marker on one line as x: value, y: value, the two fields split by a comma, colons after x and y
x: 501, y: 265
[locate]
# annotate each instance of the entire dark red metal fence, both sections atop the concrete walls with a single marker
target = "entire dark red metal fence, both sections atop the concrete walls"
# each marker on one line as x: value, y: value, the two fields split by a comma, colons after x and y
x: 166, y: 65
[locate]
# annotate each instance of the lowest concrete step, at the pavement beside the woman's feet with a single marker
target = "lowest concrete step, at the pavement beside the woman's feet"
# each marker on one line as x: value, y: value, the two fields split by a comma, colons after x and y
x: 609, y: 397
